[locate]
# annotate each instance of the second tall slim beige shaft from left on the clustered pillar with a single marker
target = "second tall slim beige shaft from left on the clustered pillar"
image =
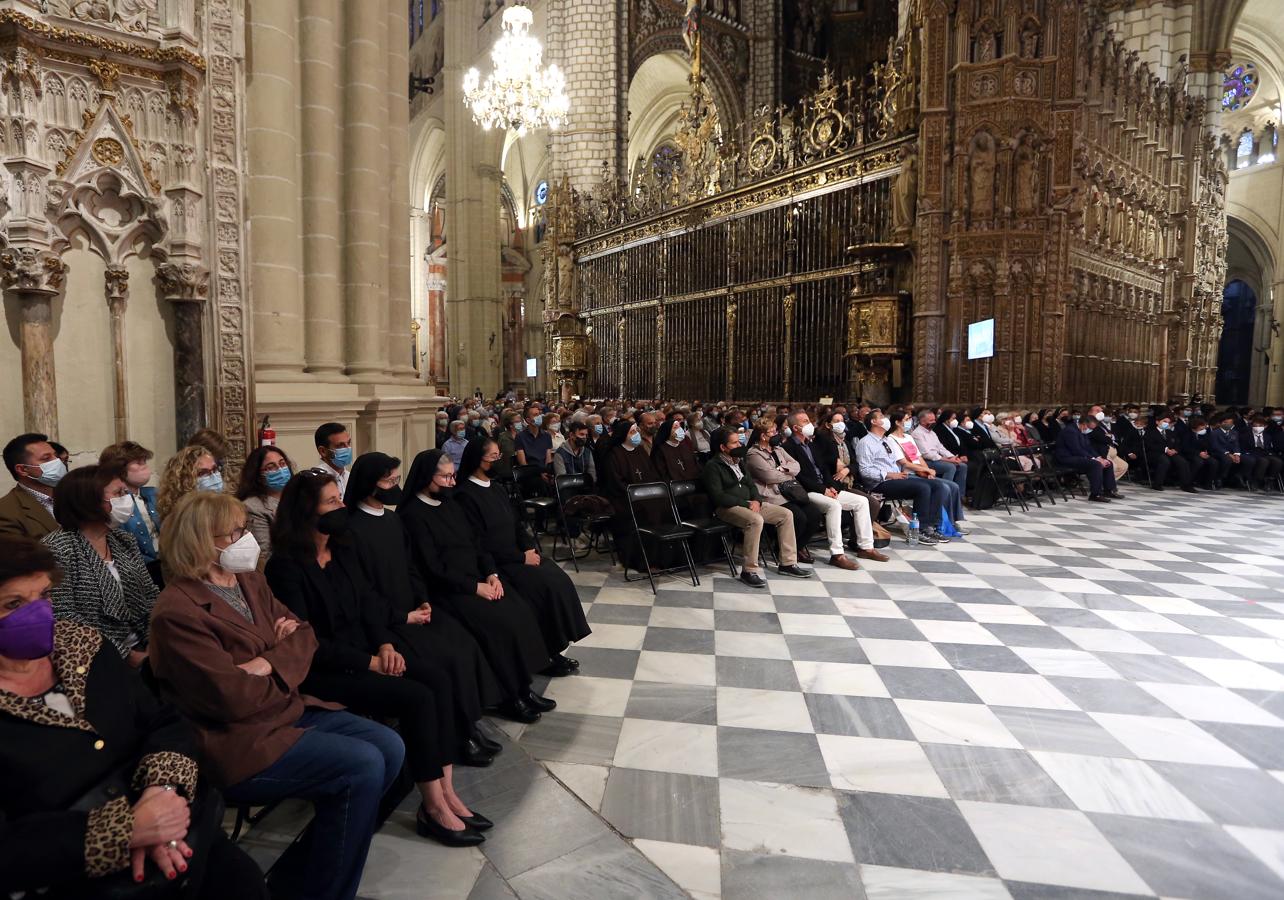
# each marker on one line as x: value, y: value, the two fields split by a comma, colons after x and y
x: 323, y: 101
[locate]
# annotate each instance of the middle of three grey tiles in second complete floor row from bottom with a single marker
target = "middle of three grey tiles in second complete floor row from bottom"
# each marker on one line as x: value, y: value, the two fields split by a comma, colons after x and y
x: 994, y: 775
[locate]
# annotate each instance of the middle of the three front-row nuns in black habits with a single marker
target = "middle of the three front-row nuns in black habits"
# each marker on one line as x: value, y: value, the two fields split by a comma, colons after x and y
x: 463, y: 578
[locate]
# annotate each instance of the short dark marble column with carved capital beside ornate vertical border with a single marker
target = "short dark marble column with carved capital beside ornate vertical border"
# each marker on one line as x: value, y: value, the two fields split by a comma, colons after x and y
x: 187, y: 287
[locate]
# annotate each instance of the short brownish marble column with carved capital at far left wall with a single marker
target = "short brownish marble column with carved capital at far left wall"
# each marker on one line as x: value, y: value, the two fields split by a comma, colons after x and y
x: 31, y: 279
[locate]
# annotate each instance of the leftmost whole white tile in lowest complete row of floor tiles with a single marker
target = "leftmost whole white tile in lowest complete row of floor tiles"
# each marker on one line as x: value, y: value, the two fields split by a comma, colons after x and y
x: 783, y: 820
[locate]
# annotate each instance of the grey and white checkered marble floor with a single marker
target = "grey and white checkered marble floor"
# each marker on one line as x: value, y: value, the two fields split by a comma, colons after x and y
x: 1086, y: 702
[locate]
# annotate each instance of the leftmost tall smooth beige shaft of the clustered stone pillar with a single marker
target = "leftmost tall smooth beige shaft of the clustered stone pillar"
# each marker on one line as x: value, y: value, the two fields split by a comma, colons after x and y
x: 274, y: 192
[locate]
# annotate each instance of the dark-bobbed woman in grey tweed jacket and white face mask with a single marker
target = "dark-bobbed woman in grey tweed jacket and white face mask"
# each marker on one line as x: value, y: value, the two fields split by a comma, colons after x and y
x: 106, y: 585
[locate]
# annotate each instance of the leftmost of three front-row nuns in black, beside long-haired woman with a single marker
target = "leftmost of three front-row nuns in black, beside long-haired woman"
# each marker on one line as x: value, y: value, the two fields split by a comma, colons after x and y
x: 426, y: 635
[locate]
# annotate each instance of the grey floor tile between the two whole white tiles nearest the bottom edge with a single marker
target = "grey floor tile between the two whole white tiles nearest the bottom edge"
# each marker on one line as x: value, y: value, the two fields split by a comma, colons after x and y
x: 912, y: 833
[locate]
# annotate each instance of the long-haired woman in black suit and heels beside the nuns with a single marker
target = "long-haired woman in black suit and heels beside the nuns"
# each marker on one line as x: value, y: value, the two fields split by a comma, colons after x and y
x: 318, y: 576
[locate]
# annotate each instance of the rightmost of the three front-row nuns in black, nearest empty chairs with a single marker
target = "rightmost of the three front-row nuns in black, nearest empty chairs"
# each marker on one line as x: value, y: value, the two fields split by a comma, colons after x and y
x: 541, y: 581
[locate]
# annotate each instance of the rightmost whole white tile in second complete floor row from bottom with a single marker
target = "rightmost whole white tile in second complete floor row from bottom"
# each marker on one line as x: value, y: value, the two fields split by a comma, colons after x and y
x: 1122, y: 786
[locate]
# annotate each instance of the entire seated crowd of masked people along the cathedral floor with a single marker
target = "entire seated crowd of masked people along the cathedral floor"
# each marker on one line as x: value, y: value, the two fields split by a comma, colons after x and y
x: 337, y: 634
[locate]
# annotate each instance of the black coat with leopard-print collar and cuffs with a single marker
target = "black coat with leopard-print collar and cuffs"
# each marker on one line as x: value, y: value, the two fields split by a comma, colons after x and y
x: 49, y: 762
